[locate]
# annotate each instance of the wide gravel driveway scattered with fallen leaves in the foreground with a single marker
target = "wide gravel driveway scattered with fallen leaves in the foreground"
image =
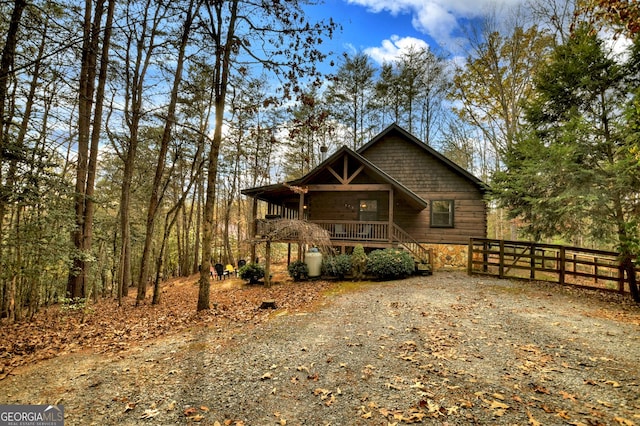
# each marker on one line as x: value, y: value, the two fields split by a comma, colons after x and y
x: 446, y: 350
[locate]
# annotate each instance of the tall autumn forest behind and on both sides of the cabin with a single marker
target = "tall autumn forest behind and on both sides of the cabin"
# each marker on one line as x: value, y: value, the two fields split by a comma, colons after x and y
x: 129, y: 129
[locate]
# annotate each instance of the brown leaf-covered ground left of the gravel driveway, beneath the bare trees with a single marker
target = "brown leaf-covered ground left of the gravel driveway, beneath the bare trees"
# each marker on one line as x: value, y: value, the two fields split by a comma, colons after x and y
x: 106, y: 327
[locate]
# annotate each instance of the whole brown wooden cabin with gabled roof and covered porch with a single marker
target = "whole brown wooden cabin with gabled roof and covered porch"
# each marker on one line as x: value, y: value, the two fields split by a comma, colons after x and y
x: 395, y: 191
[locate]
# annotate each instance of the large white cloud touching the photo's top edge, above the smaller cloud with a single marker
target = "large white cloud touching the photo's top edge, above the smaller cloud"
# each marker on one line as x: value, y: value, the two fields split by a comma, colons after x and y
x: 437, y: 18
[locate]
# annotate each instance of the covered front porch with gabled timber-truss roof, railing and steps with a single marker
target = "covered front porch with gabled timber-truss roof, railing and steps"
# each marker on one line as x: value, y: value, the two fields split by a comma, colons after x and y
x: 353, y: 200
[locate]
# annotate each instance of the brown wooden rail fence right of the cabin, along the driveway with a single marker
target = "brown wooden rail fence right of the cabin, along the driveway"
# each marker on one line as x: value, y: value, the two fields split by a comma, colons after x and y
x: 547, y: 262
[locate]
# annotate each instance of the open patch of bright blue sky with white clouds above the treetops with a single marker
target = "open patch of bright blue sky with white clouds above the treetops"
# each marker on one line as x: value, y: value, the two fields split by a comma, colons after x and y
x: 383, y: 28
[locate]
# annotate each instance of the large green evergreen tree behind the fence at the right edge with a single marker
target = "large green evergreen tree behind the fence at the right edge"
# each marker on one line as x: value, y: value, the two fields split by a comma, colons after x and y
x: 573, y: 171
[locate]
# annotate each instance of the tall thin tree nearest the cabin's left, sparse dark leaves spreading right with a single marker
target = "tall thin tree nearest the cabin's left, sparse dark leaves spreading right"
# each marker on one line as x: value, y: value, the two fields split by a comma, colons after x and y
x: 275, y: 35
